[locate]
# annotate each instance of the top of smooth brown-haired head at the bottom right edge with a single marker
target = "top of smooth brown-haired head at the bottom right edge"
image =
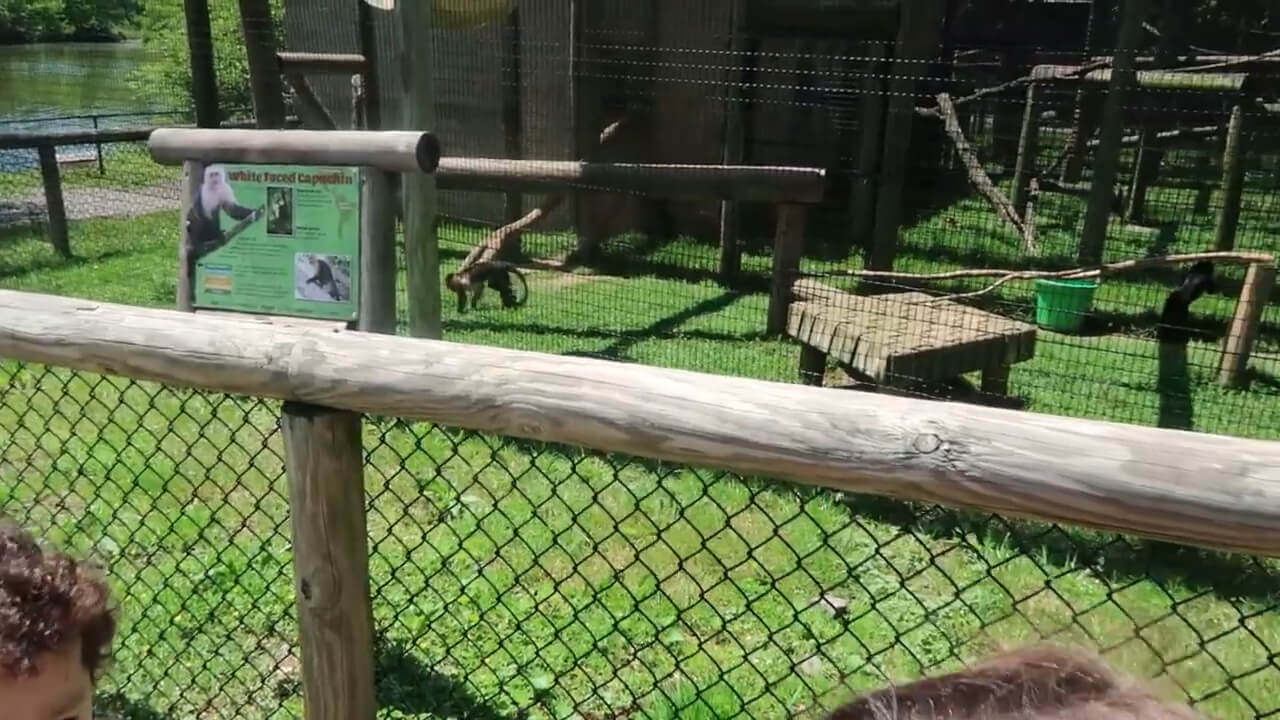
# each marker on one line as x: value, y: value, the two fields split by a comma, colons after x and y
x: 1036, y: 683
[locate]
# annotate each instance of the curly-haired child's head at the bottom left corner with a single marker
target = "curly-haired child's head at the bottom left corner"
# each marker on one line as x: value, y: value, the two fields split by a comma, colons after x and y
x: 57, y: 625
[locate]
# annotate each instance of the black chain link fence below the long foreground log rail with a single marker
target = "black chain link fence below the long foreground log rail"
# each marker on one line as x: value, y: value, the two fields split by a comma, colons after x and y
x: 518, y: 580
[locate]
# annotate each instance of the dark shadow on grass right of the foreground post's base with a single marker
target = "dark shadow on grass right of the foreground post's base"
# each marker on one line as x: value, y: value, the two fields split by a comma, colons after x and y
x: 406, y: 685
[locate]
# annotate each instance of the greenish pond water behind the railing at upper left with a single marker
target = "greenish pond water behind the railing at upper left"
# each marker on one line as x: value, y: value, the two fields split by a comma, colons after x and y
x: 67, y: 86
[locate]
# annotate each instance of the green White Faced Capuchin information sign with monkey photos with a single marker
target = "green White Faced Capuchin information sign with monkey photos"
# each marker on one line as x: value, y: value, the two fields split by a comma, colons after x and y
x: 278, y: 240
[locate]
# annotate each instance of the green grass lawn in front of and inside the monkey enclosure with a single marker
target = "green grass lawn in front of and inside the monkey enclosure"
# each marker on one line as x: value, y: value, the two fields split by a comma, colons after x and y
x: 515, y: 576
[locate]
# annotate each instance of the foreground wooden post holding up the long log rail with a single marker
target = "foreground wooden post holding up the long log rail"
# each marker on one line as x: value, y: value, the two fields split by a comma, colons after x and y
x: 324, y: 461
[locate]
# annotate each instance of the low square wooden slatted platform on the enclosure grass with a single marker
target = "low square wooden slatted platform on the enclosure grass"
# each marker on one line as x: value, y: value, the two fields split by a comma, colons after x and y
x: 899, y: 338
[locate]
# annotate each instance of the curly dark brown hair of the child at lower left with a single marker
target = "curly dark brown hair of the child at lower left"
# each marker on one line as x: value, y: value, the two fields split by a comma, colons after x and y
x: 48, y: 600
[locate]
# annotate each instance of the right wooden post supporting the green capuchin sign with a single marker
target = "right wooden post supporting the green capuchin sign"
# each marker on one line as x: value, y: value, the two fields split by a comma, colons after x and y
x: 378, y: 253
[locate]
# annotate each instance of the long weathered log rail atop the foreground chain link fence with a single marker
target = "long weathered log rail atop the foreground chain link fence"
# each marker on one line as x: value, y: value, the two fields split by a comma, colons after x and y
x: 1215, y: 491
